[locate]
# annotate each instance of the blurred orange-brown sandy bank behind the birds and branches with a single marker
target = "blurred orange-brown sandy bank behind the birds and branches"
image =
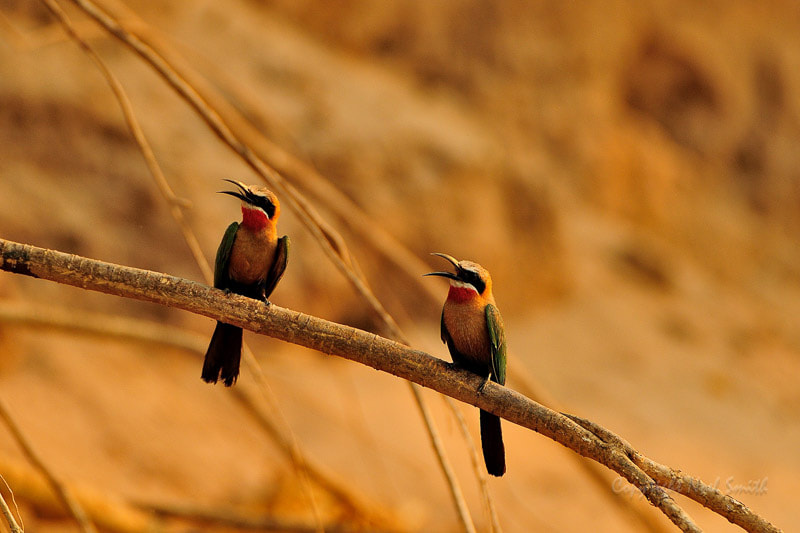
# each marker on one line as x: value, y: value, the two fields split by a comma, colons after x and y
x: 628, y: 171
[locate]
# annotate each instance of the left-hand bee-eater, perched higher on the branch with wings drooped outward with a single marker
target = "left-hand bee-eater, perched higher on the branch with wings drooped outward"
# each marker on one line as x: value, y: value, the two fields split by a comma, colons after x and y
x: 250, y: 261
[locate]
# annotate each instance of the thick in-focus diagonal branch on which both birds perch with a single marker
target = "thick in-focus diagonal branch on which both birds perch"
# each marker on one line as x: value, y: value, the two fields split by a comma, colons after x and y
x: 581, y: 436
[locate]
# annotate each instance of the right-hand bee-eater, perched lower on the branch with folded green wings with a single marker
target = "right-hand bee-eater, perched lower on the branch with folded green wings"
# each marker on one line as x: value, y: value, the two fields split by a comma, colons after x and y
x: 472, y: 329
